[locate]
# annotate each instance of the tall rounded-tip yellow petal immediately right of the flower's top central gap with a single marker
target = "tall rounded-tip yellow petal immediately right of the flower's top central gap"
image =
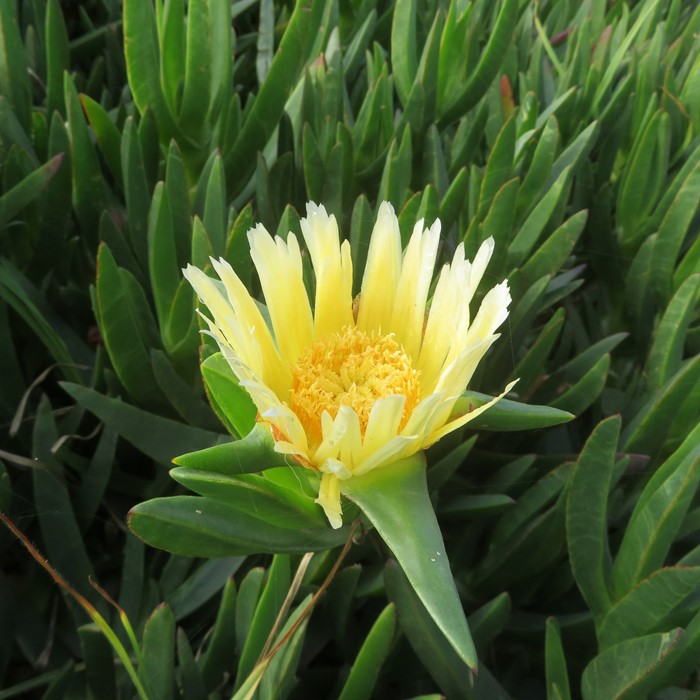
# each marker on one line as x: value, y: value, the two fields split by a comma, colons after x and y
x: 381, y: 274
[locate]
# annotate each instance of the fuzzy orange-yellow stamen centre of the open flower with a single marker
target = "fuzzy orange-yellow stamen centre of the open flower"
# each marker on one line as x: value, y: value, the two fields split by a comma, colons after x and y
x: 351, y: 368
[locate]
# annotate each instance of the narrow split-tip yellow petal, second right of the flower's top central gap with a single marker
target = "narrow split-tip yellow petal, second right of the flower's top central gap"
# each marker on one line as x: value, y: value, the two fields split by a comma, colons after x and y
x: 417, y: 268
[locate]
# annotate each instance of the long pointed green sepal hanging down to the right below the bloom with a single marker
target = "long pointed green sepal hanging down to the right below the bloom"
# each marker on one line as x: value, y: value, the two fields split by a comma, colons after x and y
x: 395, y: 499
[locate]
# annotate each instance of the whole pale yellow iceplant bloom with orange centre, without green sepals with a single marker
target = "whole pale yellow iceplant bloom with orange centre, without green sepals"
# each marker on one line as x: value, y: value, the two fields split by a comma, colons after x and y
x: 352, y: 385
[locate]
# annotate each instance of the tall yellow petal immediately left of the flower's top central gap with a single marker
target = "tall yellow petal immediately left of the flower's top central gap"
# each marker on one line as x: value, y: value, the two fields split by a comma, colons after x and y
x: 333, y: 271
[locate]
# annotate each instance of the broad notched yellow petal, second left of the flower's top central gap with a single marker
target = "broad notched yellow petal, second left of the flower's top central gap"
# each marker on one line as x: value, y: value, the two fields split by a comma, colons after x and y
x: 279, y: 267
